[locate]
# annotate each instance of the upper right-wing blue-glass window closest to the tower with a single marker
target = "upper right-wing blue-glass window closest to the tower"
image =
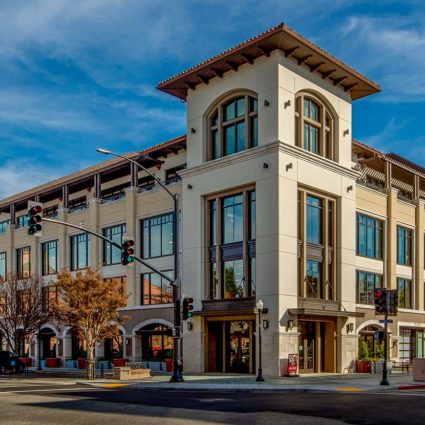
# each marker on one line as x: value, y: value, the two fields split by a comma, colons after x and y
x: 369, y: 237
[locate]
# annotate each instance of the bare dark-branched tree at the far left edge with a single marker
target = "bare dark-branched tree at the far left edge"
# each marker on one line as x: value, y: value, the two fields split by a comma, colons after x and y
x: 23, y: 309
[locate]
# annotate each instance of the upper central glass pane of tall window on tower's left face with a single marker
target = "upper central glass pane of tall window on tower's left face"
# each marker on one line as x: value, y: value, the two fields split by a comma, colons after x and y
x: 232, y: 219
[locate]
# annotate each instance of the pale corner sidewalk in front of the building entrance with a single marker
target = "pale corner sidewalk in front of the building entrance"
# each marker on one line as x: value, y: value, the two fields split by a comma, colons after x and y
x: 304, y: 383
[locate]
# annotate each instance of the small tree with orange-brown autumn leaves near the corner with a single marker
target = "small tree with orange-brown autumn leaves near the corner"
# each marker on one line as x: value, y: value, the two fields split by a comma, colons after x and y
x: 90, y: 305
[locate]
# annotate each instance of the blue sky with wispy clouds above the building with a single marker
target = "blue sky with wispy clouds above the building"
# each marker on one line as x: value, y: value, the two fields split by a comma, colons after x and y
x: 79, y: 74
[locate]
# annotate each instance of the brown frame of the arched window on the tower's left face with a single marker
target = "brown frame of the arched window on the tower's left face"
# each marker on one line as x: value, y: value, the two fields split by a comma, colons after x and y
x: 249, y: 117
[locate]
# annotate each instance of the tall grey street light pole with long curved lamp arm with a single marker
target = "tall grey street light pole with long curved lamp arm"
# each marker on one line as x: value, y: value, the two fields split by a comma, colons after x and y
x: 177, y: 375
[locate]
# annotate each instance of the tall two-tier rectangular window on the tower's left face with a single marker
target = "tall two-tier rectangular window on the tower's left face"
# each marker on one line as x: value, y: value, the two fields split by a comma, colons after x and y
x: 233, y: 227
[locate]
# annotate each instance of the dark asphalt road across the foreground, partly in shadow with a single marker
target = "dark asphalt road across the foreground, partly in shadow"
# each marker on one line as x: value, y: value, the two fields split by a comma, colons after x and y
x: 42, y: 402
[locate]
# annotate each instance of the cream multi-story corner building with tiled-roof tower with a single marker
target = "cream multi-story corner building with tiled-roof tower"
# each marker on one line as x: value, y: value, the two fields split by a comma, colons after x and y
x: 278, y: 203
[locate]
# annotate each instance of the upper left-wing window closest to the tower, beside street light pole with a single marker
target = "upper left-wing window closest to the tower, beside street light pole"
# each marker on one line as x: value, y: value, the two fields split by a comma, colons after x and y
x: 157, y: 236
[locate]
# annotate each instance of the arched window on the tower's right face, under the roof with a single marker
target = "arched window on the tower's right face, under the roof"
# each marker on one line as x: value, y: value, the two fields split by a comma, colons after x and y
x: 314, y: 126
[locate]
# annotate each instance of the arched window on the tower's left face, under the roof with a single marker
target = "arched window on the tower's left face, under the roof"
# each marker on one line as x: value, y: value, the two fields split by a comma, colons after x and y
x: 233, y: 126
